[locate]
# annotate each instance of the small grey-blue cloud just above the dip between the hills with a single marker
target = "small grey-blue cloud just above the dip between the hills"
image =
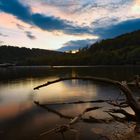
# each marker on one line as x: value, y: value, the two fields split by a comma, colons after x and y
x: 76, y: 45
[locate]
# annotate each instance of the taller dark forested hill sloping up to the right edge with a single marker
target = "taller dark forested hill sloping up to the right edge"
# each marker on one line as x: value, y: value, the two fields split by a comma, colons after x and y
x: 124, y: 49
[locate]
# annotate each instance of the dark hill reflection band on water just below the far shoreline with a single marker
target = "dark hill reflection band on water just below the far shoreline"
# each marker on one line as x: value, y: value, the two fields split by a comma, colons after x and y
x: 115, y: 72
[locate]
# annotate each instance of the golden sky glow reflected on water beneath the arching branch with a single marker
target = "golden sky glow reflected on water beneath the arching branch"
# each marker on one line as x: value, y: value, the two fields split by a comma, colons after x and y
x: 67, y: 91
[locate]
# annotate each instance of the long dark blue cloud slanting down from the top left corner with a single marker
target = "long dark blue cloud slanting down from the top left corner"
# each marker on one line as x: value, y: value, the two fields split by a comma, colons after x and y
x: 44, y: 22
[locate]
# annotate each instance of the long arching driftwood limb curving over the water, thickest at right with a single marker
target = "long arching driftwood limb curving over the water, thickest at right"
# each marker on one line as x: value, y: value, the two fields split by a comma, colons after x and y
x: 122, y: 85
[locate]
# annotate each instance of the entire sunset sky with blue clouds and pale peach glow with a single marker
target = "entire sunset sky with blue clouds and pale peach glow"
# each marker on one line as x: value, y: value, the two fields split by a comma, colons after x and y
x: 52, y: 24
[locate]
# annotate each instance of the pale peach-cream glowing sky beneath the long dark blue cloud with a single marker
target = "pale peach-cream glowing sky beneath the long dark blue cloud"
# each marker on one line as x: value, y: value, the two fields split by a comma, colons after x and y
x: 44, y: 39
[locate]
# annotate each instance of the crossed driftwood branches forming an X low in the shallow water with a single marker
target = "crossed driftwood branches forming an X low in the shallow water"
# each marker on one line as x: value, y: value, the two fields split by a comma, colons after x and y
x: 73, y: 120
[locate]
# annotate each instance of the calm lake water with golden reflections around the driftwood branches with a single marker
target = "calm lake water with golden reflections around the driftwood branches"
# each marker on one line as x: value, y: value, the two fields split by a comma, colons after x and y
x: 21, y: 119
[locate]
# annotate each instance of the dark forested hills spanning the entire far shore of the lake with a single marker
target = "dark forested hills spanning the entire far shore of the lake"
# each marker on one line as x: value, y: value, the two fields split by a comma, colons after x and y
x: 124, y: 49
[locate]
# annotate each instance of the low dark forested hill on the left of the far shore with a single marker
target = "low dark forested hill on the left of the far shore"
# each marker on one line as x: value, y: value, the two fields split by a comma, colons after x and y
x: 26, y: 56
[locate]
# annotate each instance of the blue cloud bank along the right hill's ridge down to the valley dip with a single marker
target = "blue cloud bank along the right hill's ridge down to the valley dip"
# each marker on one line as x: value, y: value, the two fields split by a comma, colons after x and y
x: 104, y: 33
